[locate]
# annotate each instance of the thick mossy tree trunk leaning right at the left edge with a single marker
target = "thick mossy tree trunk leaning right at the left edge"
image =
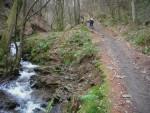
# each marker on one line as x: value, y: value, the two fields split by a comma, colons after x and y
x: 7, y: 35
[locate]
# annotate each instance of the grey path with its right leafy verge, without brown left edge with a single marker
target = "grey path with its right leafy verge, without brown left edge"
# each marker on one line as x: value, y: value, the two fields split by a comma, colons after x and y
x: 134, y: 68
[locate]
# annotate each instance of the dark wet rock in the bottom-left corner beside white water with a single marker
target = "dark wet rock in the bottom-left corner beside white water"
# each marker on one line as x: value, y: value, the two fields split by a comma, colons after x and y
x: 7, y: 103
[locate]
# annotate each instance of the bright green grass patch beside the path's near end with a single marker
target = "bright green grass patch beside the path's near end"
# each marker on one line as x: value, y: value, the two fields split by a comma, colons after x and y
x: 95, y: 101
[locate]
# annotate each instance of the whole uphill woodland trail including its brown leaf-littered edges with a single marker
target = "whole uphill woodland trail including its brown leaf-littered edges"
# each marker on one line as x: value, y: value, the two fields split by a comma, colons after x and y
x: 131, y: 71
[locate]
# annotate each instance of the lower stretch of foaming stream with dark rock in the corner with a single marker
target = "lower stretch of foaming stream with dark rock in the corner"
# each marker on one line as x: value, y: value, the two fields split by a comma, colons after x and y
x: 18, y: 93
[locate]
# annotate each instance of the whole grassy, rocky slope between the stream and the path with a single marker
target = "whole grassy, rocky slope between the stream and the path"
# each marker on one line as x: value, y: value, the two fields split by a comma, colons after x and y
x: 70, y: 72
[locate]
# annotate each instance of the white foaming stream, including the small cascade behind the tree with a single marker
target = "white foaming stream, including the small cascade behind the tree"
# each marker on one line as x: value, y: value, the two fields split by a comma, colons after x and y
x: 20, y: 89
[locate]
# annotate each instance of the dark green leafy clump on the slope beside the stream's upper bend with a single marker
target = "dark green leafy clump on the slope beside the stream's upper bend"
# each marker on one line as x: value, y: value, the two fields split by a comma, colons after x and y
x: 38, y: 46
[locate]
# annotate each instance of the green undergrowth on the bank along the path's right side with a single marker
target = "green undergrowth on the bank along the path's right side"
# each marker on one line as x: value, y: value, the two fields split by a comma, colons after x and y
x: 137, y: 34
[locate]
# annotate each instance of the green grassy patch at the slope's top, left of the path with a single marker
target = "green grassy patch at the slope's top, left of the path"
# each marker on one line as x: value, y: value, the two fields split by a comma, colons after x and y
x: 77, y: 47
